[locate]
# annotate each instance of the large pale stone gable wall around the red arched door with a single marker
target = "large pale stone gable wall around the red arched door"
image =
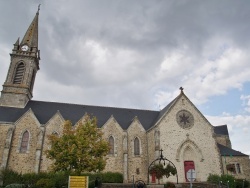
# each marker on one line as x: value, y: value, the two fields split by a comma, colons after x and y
x: 196, y: 143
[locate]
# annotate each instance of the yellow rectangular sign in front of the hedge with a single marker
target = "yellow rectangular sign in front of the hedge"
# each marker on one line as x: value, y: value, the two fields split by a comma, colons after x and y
x: 78, y: 182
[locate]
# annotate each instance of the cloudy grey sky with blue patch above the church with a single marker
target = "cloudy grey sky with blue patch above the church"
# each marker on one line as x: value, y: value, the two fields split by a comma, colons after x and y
x: 137, y: 54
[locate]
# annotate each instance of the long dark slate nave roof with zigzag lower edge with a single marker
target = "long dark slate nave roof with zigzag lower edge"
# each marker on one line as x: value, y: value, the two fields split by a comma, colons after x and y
x: 44, y: 111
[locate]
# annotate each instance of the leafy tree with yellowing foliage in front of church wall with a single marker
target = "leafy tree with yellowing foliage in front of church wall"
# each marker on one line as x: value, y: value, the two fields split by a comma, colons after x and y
x: 79, y: 149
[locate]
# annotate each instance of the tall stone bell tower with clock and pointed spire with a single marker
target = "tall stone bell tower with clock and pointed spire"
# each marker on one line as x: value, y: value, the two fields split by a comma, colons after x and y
x: 24, y: 64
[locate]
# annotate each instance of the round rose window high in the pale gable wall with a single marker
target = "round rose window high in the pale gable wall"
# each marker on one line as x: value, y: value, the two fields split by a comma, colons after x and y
x: 185, y: 119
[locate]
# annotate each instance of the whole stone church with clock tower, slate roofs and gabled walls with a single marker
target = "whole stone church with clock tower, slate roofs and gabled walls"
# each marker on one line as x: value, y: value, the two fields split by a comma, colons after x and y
x: 135, y: 136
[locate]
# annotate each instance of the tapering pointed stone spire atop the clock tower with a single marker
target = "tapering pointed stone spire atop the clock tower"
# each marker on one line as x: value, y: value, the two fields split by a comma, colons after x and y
x: 31, y: 36
